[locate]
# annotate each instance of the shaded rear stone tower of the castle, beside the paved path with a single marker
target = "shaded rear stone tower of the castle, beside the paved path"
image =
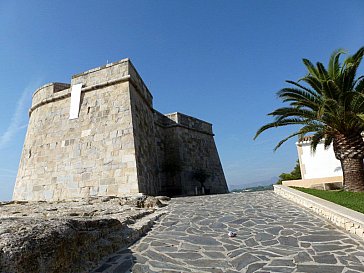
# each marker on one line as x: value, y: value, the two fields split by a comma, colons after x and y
x: 189, y: 148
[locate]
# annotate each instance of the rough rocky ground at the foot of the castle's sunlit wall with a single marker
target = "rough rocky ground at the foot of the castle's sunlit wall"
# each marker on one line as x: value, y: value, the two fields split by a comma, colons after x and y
x: 71, y: 236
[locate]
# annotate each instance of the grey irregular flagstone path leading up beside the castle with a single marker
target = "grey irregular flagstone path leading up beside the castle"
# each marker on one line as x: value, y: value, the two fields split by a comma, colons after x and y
x: 273, y: 235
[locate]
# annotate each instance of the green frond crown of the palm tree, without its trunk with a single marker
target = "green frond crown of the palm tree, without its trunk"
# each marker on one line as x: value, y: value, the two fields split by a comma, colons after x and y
x: 326, y: 101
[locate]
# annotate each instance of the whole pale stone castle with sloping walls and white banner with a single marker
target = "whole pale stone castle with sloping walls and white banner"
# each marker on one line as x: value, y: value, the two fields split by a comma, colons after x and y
x: 100, y: 136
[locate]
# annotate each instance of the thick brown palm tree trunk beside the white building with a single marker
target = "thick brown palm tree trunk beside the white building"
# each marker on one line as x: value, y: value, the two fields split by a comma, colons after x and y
x: 353, y: 174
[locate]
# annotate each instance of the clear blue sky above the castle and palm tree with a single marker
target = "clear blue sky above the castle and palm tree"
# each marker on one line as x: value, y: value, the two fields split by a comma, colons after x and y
x: 220, y: 61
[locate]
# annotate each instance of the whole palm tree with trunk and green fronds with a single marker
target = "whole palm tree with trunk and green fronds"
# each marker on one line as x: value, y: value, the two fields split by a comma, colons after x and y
x: 330, y: 104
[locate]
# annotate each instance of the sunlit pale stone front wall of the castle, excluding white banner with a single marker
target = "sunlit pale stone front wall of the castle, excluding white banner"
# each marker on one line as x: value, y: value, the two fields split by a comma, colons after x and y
x: 88, y: 156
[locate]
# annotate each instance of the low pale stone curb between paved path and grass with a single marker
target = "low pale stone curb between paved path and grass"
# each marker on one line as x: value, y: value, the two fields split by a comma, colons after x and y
x: 345, y: 218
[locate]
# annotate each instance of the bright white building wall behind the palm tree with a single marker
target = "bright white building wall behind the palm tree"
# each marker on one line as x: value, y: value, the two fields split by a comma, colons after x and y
x: 322, y: 163
